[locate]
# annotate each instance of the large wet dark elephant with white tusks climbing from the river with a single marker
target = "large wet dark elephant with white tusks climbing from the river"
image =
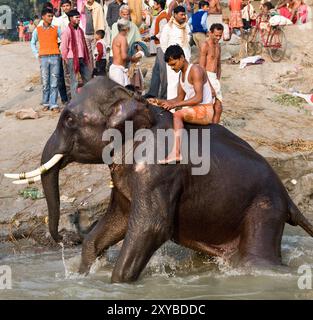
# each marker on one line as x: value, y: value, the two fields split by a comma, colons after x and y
x: 239, y: 208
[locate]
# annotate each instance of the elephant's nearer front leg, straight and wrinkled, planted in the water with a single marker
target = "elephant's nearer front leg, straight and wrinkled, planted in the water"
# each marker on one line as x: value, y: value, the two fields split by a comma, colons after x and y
x: 150, y: 225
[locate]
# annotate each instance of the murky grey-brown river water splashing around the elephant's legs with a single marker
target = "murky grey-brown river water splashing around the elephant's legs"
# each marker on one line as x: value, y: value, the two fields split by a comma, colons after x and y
x: 172, y: 273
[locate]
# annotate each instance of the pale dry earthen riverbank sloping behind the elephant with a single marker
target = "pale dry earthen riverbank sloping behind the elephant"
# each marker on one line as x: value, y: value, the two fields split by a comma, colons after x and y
x: 253, y: 109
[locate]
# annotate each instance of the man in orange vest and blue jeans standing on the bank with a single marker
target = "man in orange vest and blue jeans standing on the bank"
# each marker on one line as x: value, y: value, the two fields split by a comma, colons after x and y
x: 49, y: 57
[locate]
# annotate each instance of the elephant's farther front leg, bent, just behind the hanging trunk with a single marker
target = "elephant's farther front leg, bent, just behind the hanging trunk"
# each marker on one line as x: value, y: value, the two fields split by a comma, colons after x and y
x: 110, y: 229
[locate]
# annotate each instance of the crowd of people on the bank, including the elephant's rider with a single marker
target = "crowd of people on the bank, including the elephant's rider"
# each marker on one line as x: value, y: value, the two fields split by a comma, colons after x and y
x: 77, y: 40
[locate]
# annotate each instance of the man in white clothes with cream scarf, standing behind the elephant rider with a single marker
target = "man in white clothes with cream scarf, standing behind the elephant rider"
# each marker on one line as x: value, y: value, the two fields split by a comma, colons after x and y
x: 178, y: 32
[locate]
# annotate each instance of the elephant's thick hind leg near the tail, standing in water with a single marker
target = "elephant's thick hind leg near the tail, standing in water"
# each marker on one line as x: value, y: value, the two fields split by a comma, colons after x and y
x: 260, y: 240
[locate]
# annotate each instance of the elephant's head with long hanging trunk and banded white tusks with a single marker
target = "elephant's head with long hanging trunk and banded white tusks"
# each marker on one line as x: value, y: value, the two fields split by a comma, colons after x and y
x: 101, y: 104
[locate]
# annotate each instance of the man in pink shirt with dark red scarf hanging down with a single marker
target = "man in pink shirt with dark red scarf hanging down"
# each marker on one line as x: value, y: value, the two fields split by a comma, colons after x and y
x: 75, y: 52
